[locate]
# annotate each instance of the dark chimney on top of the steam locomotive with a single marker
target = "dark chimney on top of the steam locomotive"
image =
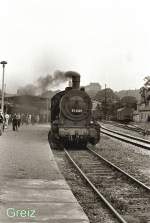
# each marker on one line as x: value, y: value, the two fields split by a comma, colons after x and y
x: 75, y: 79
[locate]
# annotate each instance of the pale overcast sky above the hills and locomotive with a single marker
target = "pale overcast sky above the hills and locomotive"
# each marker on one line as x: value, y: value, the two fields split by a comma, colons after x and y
x: 106, y: 41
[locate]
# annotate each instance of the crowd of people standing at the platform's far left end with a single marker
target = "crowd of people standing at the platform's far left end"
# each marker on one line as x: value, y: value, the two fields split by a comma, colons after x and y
x: 16, y: 119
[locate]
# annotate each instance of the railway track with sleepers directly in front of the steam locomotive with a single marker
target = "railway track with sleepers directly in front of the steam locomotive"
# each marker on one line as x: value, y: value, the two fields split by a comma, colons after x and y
x: 126, y: 197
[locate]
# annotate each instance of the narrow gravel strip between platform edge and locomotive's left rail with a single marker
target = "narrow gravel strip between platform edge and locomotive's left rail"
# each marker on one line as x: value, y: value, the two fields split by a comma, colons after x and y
x: 94, y: 208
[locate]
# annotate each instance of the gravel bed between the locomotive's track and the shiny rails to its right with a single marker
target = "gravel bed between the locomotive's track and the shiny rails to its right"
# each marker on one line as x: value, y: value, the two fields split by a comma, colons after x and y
x: 132, y: 159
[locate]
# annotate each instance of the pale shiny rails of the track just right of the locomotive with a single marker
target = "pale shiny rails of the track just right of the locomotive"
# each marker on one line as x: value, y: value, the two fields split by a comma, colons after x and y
x: 137, y: 141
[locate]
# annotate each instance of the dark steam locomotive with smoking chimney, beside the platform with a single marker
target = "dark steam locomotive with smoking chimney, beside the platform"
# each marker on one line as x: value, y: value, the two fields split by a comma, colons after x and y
x: 72, y: 123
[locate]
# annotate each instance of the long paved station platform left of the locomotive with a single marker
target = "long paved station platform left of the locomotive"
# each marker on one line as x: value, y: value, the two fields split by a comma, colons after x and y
x: 32, y: 188
